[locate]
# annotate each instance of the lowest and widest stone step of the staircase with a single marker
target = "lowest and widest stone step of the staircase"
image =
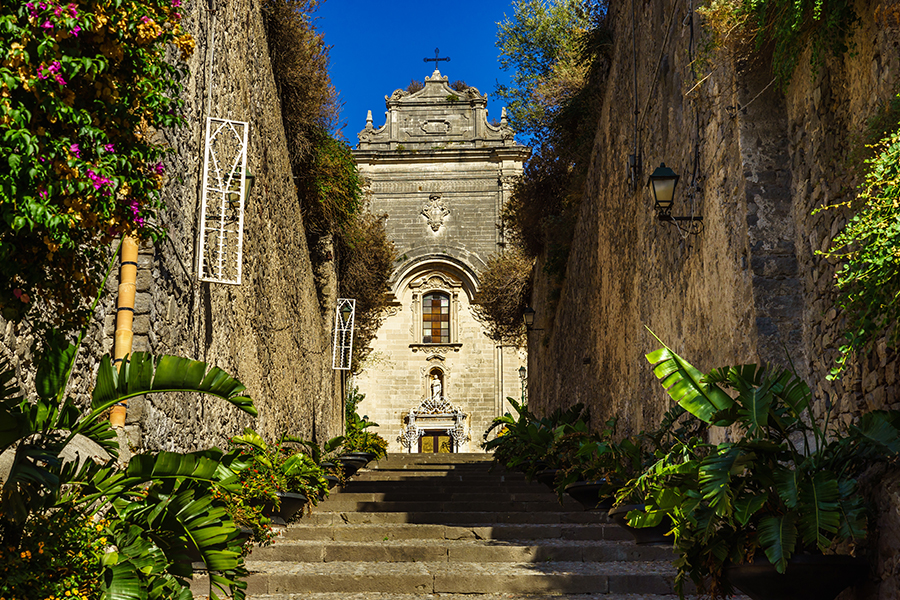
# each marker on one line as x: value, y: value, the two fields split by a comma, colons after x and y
x: 655, y: 577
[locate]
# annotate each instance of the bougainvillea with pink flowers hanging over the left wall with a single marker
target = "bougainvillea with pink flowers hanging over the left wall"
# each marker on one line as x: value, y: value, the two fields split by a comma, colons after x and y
x: 82, y: 87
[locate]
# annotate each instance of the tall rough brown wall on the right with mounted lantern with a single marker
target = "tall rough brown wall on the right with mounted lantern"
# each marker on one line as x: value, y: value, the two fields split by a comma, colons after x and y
x: 750, y: 287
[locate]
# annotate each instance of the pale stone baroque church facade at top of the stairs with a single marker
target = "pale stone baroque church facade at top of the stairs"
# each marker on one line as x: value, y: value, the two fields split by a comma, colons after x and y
x: 441, y: 172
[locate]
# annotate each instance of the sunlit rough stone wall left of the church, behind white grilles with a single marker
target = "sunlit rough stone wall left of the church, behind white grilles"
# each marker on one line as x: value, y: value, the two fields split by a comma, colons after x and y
x: 269, y: 332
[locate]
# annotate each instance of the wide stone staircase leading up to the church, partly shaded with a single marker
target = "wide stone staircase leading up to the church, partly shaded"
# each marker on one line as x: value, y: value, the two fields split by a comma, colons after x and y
x: 421, y: 526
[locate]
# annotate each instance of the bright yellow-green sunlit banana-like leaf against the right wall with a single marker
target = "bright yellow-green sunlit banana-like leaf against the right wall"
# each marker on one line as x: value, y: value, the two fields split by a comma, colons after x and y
x: 684, y: 383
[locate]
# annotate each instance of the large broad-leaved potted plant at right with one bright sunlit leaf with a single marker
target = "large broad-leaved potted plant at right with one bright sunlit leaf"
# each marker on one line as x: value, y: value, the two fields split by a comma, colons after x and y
x: 785, y: 488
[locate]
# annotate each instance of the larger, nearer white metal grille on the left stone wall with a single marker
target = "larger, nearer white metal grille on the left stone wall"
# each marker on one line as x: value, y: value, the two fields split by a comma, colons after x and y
x: 222, y: 207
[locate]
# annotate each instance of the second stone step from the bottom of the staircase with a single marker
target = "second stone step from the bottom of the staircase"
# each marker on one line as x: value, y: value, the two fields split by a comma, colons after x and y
x: 460, y: 550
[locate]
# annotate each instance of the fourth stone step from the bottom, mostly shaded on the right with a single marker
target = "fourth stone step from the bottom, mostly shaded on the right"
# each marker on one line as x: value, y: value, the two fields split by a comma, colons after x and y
x: 321, y: 516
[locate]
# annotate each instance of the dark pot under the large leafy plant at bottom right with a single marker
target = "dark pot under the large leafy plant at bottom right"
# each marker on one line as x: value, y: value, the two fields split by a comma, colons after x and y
x: 807, y: 577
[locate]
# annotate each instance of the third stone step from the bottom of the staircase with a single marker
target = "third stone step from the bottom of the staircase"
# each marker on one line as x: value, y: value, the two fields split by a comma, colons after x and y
x: 411, y: 531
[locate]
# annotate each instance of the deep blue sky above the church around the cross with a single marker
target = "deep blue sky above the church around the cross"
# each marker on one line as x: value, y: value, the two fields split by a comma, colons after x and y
x: 378, y: 47
